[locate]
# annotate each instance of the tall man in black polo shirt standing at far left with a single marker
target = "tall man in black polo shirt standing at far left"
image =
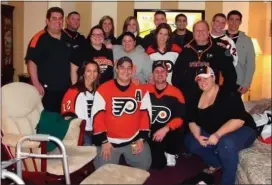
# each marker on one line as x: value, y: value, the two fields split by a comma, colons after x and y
x: 47, y: 60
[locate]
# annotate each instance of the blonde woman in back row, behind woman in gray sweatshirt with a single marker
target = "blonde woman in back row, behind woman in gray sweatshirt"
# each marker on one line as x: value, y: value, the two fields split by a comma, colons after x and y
x: 131, y: 25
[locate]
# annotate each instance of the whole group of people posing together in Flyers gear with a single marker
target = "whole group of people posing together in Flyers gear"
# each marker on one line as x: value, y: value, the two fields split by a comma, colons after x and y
x: 136, y: 93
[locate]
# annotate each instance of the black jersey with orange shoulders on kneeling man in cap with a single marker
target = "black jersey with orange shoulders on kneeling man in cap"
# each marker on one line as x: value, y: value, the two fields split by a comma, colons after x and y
x: 168, y: 107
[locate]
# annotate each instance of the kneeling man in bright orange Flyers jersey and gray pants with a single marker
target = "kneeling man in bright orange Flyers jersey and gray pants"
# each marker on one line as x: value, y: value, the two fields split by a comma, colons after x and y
x: 121, y: 117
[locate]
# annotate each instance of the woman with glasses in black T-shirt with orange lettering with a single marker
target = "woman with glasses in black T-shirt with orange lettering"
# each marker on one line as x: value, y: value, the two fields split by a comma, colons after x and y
x: 98, y: 52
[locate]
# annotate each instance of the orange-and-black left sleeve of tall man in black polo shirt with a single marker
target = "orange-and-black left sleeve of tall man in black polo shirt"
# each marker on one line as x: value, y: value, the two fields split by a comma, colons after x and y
x: 34, y: 49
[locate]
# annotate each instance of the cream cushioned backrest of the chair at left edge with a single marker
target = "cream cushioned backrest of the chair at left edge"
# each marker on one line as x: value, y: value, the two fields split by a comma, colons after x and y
x: 21, y: 108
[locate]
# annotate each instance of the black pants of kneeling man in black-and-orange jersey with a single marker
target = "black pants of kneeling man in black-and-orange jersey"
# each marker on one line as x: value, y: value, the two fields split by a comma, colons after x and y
x: 170, y: 144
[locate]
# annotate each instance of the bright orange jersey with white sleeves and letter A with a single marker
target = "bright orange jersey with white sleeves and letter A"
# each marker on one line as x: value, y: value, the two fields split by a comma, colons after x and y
x: 121, y: 114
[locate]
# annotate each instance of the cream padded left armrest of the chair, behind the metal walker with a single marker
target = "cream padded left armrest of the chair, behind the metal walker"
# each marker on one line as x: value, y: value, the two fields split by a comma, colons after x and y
x: 12, y: 140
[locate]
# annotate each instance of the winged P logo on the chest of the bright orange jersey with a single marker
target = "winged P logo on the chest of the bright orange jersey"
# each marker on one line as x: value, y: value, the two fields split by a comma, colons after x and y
x: 122, y: 105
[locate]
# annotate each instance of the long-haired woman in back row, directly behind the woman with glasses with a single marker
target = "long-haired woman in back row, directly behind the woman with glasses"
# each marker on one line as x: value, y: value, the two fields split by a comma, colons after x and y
x: 106, y: 22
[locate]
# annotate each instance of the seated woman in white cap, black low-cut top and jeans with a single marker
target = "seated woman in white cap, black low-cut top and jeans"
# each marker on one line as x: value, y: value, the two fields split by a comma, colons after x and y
x: 220, y: 127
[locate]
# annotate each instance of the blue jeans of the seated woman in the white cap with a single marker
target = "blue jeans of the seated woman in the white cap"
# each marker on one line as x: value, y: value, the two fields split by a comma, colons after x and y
x: 225, y: 153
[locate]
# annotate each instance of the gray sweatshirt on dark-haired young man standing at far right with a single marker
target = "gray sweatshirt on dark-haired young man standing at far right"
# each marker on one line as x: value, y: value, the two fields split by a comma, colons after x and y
x: 246, y: 60
